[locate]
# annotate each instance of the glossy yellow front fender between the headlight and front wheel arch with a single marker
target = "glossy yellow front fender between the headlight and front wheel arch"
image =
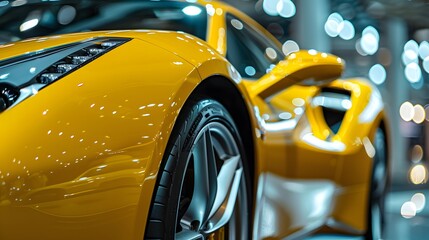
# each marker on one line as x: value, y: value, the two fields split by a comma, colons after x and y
x: 98, y: 133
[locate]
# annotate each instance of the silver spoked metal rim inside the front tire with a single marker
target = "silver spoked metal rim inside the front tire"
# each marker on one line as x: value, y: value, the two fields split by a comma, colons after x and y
x: 208, y: 200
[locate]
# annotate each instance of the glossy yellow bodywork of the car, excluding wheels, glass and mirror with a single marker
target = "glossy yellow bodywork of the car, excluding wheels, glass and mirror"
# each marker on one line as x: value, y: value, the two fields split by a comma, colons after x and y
x: 79, y: 160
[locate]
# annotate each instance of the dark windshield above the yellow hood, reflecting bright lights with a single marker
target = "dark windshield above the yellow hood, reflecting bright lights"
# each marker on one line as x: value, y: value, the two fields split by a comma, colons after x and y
x: 24, y: 19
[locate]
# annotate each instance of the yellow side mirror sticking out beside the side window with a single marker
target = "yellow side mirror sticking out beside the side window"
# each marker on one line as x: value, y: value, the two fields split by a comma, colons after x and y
x: 302, y: 67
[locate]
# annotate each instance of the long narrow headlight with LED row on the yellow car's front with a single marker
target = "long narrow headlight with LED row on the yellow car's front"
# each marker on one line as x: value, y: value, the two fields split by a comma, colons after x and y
x: 23, y: 76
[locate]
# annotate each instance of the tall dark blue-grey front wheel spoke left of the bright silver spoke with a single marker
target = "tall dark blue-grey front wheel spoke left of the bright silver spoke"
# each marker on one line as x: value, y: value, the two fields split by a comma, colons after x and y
x: 205, y: 182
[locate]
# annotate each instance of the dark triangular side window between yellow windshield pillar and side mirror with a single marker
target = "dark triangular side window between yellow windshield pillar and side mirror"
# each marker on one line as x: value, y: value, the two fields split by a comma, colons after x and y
x: 251, y: 53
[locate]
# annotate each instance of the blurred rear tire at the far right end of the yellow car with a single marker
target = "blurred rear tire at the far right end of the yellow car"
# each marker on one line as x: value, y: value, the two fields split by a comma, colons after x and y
x: 379, y: 180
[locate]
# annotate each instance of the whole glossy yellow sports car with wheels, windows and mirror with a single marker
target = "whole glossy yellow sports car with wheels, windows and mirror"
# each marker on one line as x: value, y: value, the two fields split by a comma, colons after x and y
x: 201, y: 129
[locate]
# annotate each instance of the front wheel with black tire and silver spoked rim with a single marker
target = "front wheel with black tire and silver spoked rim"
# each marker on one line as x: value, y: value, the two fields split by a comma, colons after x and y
x: 205, y: 138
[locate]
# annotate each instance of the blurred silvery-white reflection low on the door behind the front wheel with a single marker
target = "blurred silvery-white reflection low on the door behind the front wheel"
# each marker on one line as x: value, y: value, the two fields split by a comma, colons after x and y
x: 291, y: 206
